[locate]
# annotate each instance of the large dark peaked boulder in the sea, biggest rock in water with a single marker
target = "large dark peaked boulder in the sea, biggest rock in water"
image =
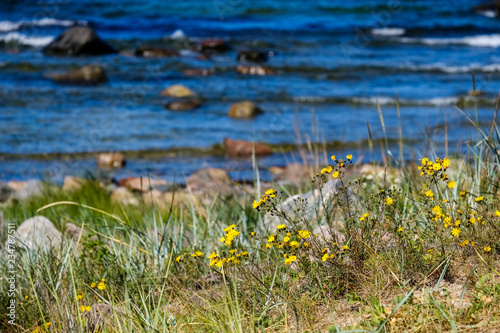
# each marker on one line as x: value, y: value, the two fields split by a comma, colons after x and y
x: 77, y: 41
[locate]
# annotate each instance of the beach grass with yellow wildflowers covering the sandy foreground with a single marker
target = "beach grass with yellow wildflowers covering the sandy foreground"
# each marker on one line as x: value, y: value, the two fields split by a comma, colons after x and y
x: 411, y: 248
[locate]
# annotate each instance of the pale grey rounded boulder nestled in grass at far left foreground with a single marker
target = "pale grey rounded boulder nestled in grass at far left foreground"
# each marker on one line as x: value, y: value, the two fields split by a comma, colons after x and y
x: 37, y: 233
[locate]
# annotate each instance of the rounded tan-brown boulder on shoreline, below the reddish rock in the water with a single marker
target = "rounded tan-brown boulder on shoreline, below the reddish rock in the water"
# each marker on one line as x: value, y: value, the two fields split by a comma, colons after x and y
x: 211, y: 181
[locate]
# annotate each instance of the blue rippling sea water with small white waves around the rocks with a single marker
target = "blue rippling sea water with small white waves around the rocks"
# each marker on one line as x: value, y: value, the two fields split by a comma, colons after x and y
x: 334, y: 61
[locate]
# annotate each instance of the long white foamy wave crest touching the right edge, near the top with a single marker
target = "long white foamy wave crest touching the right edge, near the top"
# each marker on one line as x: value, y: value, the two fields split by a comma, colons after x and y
x: 479, y: 41
